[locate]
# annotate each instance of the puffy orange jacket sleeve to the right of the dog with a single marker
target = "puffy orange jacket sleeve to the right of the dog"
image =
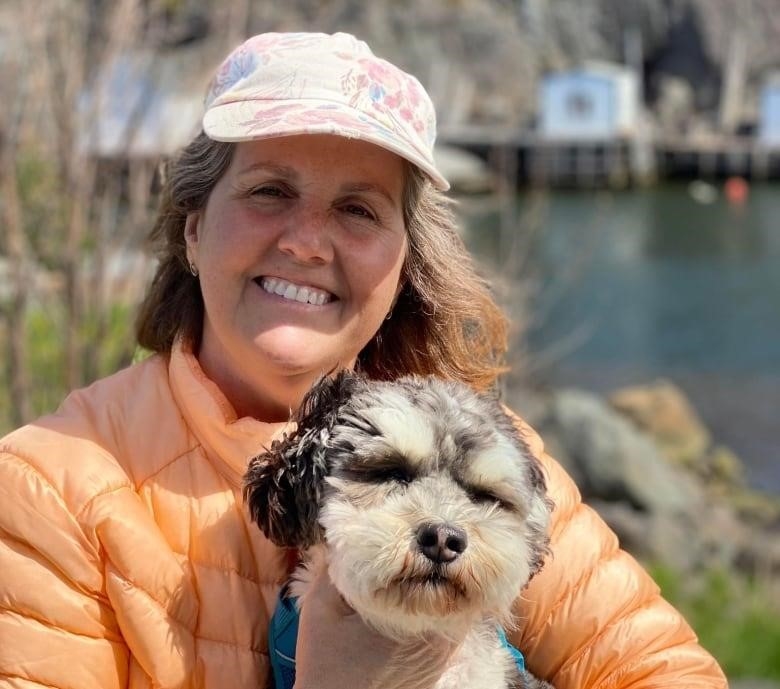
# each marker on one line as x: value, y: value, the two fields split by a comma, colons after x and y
x: 593, y: 617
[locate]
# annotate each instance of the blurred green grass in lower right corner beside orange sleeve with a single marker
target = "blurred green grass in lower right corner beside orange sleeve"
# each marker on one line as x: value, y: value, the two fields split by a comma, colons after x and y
x: 737, y: 619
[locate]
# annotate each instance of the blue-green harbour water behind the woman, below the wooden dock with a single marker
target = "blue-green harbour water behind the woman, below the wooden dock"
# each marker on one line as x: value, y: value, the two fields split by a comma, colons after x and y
x: 632, y: 286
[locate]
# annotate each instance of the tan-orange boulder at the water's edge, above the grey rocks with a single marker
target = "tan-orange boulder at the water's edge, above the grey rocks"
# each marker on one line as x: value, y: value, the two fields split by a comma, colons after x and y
x: 662, y: 410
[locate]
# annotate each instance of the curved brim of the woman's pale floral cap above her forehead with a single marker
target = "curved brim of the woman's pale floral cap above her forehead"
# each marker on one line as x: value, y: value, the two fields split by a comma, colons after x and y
x: 256, y: 119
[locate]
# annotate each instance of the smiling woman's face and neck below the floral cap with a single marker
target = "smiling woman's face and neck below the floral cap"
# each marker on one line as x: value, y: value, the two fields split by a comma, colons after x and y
x: 299, y: 249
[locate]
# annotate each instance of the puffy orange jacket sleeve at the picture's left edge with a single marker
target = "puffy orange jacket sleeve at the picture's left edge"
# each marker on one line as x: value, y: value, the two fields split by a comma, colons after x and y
x: 57, y: 628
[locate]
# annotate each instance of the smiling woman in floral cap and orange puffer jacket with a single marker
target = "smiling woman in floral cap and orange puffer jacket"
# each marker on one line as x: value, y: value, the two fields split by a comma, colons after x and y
x: 302, y: 232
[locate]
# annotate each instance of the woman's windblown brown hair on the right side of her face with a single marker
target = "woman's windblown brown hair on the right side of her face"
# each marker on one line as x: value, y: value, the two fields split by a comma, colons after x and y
x: 445, y: 321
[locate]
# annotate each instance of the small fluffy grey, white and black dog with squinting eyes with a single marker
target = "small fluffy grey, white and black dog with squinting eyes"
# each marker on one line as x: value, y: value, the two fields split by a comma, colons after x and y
x: 425, y: 505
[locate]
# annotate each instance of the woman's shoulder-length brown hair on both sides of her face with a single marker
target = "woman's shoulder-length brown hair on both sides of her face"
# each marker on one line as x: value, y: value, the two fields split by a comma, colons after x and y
x: 445, y: 321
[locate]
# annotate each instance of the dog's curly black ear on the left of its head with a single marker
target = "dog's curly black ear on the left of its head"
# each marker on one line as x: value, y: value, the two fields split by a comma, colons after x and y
x: 283, y: 486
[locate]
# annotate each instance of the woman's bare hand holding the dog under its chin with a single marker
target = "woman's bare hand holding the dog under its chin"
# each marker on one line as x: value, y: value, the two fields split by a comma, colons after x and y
x: 337, y: 650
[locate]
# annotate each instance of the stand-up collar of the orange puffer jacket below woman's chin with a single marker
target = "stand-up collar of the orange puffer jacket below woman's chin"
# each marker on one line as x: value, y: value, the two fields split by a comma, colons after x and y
x: 228, y: 442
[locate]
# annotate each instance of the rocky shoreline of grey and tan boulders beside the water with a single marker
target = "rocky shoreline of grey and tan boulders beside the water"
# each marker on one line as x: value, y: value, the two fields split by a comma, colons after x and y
x: 645, y: 461
